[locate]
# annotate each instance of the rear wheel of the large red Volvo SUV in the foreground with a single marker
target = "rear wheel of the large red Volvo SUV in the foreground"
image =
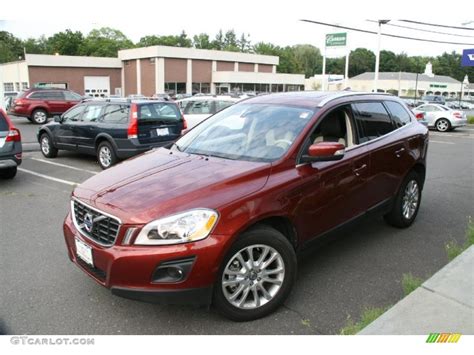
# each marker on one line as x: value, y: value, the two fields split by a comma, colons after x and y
x: 407, y: 202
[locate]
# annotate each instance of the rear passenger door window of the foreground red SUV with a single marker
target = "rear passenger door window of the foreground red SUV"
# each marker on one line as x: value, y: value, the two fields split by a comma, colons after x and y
x: 372, y: 120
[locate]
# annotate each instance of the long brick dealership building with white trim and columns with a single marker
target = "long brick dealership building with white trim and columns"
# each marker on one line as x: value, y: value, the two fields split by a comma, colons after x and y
x: 150, y: 70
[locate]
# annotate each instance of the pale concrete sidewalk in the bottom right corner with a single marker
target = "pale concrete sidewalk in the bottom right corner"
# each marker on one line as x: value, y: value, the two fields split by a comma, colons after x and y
x: 443, y: 304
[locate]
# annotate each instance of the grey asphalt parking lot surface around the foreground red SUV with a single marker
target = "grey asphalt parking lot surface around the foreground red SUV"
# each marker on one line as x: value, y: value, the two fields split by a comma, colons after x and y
x: 44, y: 293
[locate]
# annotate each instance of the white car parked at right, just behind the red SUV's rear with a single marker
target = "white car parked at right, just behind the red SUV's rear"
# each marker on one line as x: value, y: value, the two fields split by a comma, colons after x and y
x: 442, y: 117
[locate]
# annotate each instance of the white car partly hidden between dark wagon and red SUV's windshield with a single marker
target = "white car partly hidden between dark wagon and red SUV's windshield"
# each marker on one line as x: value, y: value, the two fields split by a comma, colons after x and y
x: 197, y: 108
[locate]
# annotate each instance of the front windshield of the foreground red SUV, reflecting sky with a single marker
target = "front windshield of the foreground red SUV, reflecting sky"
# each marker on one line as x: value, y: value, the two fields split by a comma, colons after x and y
x: 253, y: 132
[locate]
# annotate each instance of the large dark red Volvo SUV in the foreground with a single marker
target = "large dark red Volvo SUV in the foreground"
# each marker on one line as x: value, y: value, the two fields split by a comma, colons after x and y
x: 220, y: 216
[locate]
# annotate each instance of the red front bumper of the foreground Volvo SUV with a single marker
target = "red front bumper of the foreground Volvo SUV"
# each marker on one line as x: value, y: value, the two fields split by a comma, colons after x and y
x: 127, y: 270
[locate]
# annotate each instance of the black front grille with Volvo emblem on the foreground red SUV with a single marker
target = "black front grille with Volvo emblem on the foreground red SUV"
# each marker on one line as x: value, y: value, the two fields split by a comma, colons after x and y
x: 104, y: 227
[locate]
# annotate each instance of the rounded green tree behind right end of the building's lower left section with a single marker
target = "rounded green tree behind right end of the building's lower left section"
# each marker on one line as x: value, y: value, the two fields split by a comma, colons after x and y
x: 105, y: 42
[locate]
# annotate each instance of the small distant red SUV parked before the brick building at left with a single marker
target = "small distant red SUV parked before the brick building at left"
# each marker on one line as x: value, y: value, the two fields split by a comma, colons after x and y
x: 39, y: 104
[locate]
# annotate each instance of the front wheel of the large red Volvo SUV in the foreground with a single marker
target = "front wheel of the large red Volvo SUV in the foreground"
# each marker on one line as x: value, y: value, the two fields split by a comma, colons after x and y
x: 253, y: 281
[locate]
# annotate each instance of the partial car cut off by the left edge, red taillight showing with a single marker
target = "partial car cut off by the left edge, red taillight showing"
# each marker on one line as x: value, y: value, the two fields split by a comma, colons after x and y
x: 10, y: 147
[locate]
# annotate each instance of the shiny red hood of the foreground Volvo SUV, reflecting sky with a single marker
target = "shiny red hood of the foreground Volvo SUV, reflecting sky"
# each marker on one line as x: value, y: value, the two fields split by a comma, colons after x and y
x: 160, y: 183
